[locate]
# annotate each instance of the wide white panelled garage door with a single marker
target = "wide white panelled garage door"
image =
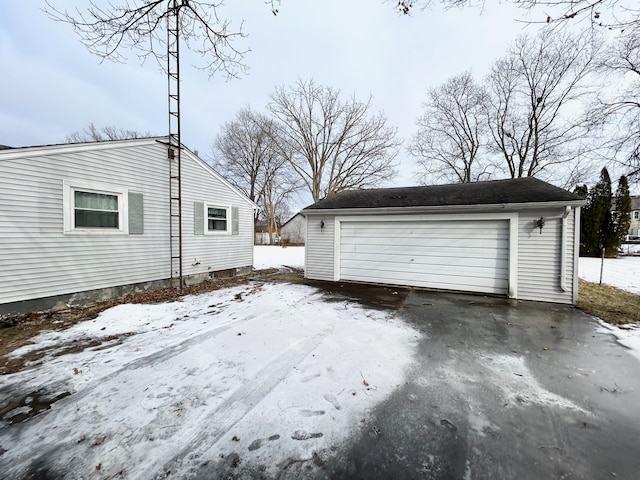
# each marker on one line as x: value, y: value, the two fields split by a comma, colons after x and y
x: 469, y: 255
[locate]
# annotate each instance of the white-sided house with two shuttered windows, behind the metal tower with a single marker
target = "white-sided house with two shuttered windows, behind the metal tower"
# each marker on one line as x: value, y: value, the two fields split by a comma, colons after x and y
x: 80, y: 222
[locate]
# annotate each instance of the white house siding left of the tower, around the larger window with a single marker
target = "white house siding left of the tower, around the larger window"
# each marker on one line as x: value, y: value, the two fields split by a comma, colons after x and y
x: 38, y: 259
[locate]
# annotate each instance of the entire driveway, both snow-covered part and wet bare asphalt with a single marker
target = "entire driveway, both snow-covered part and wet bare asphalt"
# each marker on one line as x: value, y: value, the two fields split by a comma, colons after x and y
x: 271, y: 380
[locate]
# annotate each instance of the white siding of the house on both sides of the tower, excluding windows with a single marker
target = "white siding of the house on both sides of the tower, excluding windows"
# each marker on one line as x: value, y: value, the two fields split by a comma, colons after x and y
x: 39, y: 260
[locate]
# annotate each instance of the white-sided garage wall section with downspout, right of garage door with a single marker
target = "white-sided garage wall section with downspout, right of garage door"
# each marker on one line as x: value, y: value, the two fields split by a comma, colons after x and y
x: 540, y: 268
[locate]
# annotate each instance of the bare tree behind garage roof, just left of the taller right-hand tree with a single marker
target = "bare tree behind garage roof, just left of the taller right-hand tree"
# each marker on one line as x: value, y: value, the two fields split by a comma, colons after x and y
x: 451, y: 132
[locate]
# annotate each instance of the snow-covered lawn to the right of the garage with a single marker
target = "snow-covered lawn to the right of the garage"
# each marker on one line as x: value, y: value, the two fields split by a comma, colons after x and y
x: 623, y: 272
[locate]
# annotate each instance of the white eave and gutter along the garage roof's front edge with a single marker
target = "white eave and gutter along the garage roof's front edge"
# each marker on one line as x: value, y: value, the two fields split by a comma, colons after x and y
x: 445, y: 208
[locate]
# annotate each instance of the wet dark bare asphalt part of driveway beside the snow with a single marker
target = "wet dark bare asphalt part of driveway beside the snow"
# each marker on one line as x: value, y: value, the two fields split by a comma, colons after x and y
x: 504, y: 390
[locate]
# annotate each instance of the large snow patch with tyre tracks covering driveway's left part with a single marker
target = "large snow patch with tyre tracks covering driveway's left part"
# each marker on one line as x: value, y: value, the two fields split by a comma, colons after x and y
x: 263, y: 374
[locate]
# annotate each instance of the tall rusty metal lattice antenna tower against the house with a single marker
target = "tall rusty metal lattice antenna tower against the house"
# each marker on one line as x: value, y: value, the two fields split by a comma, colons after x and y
x: 175, y: 145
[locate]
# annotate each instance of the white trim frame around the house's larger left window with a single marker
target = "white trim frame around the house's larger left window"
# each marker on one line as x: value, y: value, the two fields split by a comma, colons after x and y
x: 68, y: 191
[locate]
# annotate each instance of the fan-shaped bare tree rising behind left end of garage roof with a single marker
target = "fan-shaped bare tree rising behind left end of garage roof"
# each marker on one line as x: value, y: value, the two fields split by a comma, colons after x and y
x: 333, y: 145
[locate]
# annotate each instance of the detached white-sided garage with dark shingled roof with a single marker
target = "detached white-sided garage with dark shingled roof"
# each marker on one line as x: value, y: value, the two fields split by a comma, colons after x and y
x: 516, y: 238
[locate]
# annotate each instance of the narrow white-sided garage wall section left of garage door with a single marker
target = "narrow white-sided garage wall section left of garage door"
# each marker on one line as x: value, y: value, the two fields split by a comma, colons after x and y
x: 319, y: 251
